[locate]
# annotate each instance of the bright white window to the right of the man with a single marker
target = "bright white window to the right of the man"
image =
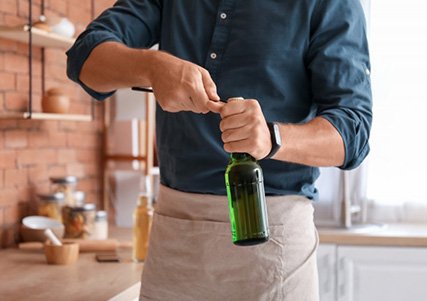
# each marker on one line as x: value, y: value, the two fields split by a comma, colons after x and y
x: 397, y: 164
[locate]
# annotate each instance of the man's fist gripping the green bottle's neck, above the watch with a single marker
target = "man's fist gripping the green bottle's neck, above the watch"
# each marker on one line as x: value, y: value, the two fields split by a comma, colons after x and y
x: 243, y: 126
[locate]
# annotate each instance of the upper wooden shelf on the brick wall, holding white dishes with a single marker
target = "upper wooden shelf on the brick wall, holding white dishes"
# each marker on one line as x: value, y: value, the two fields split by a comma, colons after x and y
x: 41, y: 38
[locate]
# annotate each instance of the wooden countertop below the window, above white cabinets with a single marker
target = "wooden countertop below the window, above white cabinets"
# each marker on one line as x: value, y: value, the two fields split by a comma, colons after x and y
x: 403, y: 235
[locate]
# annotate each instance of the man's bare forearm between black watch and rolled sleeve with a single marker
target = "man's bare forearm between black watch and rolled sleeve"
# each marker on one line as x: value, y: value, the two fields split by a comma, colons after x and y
x: 315, y: 143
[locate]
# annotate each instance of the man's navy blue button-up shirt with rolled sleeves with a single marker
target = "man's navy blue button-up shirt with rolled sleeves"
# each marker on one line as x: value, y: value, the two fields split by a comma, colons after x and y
x: 298, y: 58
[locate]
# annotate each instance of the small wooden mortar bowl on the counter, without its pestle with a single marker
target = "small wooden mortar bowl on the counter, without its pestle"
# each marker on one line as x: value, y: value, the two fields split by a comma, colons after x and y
x: 66, y: 254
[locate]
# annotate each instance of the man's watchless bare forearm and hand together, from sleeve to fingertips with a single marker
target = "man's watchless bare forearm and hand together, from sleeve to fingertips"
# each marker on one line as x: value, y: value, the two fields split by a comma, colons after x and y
x: 179, y: 85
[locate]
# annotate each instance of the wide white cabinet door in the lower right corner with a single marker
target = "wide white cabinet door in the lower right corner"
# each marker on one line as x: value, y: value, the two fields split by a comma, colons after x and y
x: 382, y: 273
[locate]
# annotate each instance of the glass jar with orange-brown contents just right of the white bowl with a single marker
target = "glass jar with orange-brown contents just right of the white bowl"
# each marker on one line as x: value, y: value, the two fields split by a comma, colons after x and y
x: 79, y: 221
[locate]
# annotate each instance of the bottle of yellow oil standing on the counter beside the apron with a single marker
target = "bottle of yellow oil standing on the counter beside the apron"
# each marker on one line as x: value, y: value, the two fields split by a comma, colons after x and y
x: 142, y: 218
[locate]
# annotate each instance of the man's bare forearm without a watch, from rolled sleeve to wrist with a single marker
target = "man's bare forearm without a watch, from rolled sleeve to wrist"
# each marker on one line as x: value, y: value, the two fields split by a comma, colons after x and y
x: 112, y: 65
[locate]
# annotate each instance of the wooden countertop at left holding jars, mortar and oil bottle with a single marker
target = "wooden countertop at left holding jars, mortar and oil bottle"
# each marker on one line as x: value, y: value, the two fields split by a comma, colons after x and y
x: 25, y: 275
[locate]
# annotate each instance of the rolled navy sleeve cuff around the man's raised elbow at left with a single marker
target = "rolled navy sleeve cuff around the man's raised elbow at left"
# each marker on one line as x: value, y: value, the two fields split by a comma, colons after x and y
x: 80, y: 51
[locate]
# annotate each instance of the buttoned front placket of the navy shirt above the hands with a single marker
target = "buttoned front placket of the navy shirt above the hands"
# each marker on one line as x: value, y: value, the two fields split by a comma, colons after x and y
x: 219, y: 38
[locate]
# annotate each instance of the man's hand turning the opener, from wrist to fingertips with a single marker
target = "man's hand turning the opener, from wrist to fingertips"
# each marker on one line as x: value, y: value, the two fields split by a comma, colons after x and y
x: 180, y: 85
